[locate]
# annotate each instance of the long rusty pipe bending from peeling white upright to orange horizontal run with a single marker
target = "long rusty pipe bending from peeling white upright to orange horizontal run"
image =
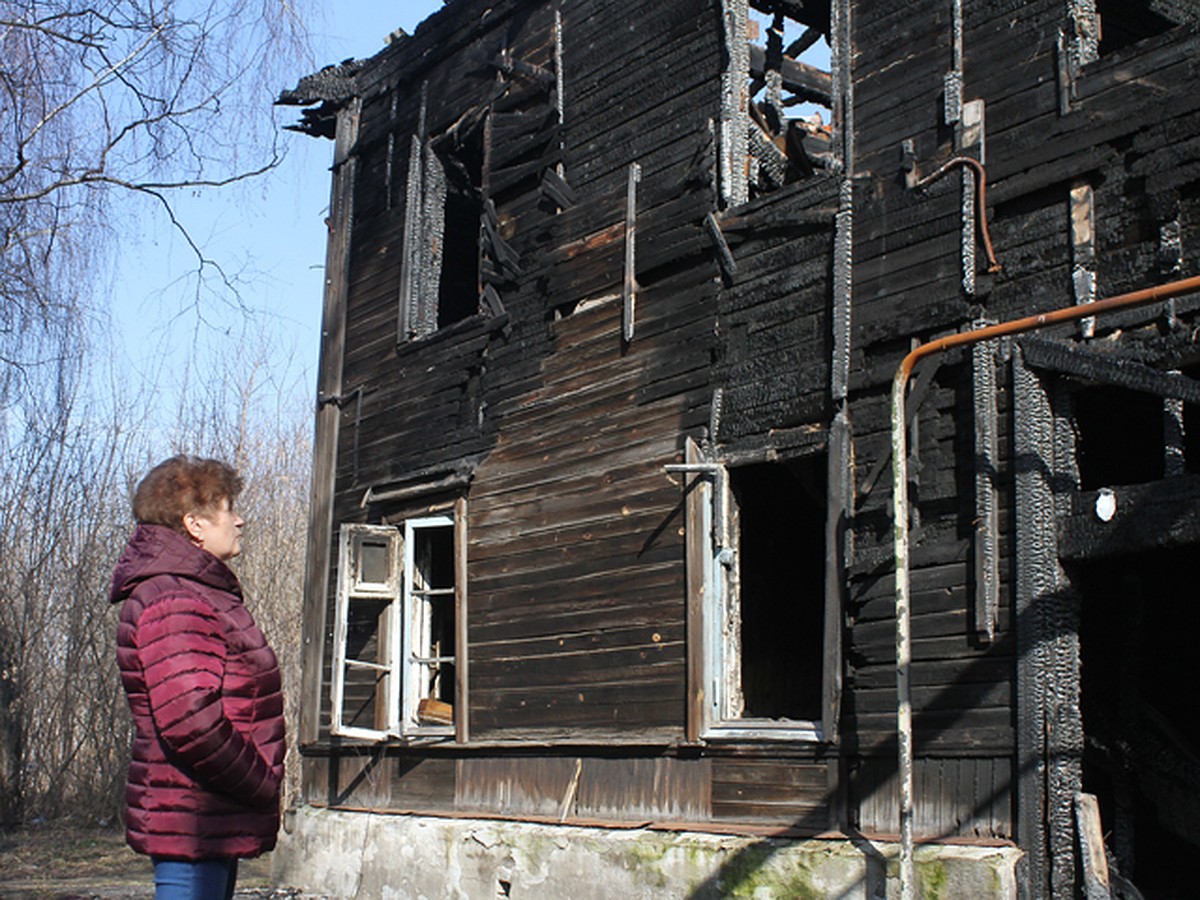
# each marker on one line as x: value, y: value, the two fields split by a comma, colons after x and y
x: 901, y: 513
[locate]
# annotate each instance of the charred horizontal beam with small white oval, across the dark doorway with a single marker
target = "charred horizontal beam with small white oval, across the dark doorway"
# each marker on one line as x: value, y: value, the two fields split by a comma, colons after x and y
x: 1127, y: 519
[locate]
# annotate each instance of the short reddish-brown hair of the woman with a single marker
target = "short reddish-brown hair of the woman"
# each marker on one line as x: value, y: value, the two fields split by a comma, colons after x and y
x: 182, y: 485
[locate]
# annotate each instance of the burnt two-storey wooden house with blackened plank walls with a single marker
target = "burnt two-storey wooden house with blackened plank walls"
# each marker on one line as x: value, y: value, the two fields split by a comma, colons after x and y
x: 603, y: 519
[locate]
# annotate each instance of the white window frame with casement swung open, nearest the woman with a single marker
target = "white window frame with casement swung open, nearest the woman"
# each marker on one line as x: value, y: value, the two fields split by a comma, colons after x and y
x: 401, y: 657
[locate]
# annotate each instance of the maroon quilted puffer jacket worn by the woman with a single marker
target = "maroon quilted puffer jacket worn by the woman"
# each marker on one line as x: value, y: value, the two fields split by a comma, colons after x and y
x: 208, y: 711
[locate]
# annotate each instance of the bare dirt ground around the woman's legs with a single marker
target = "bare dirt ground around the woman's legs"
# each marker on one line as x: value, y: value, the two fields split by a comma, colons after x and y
x: 94, y: 865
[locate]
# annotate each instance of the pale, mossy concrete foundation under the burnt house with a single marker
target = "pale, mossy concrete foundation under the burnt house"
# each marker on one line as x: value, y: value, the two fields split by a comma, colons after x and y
x: 334, y: 854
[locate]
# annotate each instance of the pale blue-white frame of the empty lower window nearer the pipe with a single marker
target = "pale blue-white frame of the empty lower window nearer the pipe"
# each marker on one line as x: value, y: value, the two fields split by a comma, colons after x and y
x: 721, y: 665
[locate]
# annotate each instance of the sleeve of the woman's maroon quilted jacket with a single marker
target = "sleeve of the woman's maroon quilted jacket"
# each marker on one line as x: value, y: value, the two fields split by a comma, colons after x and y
x: 183, y: 653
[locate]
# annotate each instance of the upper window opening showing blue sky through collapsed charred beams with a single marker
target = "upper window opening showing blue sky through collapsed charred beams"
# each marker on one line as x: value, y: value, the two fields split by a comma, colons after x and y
x: 791, y: 93
